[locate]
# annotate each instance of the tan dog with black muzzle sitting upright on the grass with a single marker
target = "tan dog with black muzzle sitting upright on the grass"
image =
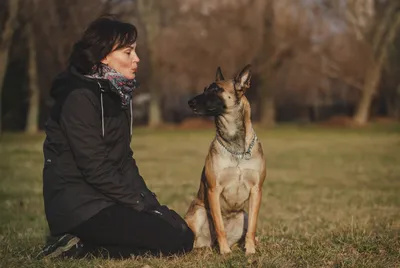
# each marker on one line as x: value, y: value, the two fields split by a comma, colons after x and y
x: 234, y: 169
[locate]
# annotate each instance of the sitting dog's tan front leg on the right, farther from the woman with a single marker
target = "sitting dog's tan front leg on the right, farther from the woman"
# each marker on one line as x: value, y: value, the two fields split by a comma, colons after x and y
x: 254, y: 207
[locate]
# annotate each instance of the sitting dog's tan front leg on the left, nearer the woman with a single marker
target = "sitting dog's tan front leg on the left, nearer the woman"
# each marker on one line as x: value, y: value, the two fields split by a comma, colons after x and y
x: 215, y: 209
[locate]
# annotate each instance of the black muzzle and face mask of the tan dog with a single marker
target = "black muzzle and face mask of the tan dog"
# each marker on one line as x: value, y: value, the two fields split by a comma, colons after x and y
x: 210, y: 102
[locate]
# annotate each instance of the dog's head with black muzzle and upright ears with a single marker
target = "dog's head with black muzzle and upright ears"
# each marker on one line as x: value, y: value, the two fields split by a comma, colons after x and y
x: 222, y: 95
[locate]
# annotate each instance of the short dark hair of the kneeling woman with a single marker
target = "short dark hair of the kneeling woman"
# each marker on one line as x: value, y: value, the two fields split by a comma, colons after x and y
x: 102, y: 36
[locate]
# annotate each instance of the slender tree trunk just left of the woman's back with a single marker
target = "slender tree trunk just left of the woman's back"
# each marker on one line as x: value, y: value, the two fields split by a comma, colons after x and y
x: 34, y: 92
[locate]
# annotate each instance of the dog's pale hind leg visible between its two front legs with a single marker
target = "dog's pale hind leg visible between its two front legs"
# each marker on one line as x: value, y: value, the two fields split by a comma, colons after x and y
x: 236, y: 227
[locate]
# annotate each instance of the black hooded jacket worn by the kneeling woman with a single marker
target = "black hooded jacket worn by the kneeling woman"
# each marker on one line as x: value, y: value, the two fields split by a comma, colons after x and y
x: 88, y: 163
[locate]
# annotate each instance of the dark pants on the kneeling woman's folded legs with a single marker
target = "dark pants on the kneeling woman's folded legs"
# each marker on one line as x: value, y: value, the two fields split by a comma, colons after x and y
x: 118, y: 232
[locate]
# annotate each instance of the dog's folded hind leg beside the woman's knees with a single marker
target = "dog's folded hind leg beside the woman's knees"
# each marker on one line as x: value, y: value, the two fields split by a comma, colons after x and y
x: 199, y: 222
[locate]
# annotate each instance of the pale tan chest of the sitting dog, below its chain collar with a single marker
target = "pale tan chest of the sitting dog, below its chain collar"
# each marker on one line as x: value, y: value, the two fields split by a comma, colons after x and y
x: 236, y: 181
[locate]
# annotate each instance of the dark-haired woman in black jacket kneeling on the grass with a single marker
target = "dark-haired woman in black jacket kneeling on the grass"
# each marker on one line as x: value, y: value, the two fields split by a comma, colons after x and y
x: 94, y: 196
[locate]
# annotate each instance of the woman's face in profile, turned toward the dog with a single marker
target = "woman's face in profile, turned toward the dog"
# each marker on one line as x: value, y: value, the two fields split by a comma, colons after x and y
x: 124, y: 60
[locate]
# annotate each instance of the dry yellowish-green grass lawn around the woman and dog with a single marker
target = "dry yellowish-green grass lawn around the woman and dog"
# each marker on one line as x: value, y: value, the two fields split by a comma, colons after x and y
x: 331, y: 198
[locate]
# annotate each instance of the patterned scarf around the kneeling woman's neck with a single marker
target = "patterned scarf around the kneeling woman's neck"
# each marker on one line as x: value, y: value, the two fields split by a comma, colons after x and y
x: 120, y: 85
